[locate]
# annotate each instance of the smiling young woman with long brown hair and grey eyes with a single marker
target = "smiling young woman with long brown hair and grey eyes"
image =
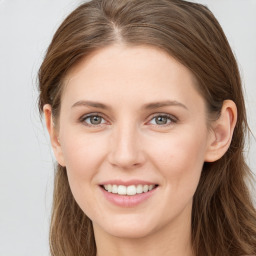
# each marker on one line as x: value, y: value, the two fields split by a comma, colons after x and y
x: 145, y: 111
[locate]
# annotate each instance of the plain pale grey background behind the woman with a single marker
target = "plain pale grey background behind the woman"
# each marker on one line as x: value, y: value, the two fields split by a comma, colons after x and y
x: 26, y: 161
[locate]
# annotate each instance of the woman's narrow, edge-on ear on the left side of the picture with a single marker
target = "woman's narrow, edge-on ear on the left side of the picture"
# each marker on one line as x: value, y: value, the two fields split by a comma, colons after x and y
x: 52, y: 130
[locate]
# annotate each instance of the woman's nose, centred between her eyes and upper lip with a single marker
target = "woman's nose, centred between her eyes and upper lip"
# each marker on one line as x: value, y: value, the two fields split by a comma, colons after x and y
x: 126, y: 149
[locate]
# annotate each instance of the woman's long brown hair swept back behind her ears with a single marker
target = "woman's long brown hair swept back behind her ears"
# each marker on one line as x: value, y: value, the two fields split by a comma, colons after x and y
x: 223, y: 215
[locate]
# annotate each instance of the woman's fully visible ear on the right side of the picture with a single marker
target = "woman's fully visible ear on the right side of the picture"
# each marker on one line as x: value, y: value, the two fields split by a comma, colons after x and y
x: 221, y: 133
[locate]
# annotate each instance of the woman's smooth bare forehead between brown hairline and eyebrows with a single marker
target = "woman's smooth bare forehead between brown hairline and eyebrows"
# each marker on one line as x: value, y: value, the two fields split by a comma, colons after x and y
x: 138, y: 73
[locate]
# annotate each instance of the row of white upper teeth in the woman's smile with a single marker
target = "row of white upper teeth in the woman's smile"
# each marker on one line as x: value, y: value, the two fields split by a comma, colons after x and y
x: 128, y: 190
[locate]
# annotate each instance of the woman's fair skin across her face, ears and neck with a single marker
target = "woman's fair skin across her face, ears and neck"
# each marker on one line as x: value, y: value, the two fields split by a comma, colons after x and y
x: 135, y: 139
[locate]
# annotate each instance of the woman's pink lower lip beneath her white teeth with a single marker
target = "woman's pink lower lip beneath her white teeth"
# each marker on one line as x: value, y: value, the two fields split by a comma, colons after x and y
x: 127, y: 201
